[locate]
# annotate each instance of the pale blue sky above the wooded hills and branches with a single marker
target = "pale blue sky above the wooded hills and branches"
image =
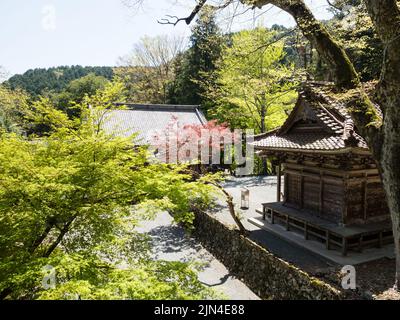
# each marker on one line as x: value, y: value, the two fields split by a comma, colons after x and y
x: 95, y: 32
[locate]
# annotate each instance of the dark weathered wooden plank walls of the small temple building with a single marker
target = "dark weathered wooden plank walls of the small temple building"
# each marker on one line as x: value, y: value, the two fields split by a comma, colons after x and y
x: 344, y: 194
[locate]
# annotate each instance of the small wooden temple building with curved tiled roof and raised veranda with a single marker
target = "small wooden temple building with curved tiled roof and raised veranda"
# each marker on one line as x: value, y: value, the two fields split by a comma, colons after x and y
x: 332, y: 191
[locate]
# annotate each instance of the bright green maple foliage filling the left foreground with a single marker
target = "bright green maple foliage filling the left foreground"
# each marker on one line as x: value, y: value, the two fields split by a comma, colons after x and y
x: 72, y: 200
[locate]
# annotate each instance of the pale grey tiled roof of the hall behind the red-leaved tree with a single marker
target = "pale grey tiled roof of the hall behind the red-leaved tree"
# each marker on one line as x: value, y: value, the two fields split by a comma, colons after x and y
x: 145, y: 119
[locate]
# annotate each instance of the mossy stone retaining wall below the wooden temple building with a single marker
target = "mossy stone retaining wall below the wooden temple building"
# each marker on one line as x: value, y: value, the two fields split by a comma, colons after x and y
x: 265, y: 274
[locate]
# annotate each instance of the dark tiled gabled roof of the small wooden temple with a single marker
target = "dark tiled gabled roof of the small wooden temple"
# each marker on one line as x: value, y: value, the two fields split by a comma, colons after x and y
x: 338, y: 131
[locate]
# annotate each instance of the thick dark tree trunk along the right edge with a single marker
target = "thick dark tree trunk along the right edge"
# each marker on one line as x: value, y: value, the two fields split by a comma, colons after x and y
x: 386, y: 18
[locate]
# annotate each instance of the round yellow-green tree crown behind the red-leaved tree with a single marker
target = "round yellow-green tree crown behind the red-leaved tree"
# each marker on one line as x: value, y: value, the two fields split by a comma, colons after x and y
x: 255, y: 89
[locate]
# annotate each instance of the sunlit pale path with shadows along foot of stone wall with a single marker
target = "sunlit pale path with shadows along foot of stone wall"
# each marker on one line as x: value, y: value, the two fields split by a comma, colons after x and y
x: 172, y: 244
